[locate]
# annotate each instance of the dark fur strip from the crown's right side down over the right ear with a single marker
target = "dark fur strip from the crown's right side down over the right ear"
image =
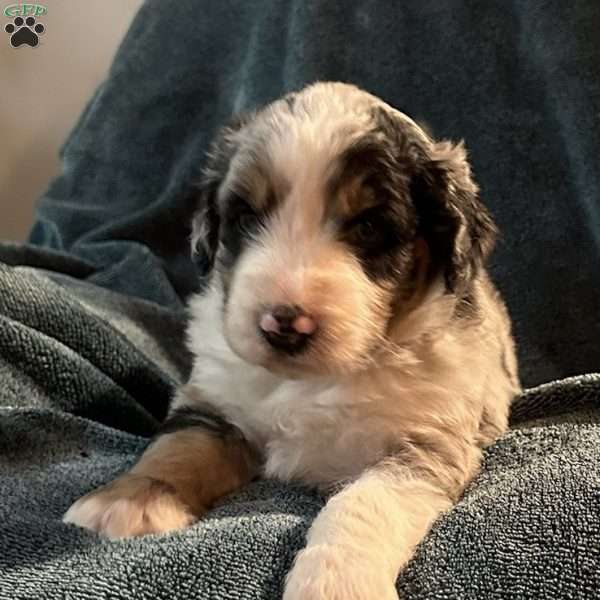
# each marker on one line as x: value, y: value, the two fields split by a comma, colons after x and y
x: 450, y: 216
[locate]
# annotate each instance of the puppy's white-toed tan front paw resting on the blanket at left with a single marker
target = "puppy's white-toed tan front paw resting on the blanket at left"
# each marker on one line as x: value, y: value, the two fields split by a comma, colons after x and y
x: 129, y: 506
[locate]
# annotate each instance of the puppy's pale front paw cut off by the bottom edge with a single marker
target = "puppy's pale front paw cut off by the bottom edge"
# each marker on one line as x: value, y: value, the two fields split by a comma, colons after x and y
x: 332, y: 573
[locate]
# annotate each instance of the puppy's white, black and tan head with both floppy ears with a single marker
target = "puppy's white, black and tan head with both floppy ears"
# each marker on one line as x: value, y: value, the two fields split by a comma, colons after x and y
x: 323, y: 219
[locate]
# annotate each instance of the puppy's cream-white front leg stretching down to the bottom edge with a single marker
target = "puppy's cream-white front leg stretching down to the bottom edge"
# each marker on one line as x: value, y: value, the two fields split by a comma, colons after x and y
x: 364, y: 535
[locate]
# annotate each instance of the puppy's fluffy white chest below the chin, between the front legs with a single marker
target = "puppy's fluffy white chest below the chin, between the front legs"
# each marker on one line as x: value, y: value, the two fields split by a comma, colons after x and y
x: 309, y: 431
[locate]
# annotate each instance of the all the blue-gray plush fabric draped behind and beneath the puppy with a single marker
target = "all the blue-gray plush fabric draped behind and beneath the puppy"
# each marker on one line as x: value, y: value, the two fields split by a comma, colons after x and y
x: 92, y: 309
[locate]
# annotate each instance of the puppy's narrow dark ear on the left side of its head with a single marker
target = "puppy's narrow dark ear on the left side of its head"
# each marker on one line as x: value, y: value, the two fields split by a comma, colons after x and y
x: 206, y: 221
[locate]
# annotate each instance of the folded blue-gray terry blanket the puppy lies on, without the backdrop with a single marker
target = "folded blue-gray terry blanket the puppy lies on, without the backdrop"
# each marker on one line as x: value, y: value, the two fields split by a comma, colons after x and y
x: 85, y: 375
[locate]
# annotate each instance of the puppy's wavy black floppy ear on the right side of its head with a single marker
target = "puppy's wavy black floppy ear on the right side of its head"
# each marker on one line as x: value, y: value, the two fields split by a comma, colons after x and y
x: 453, y: 221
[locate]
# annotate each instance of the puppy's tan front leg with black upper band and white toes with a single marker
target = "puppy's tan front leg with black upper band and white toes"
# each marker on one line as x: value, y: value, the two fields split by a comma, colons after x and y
x: 197, y: 459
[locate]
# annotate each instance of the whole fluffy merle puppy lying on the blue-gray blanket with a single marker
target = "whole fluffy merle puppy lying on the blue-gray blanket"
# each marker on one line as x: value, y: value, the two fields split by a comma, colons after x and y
x: 348, y: 338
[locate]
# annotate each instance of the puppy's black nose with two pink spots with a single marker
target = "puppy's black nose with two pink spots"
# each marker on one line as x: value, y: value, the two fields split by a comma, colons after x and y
x: 287, y: 328
